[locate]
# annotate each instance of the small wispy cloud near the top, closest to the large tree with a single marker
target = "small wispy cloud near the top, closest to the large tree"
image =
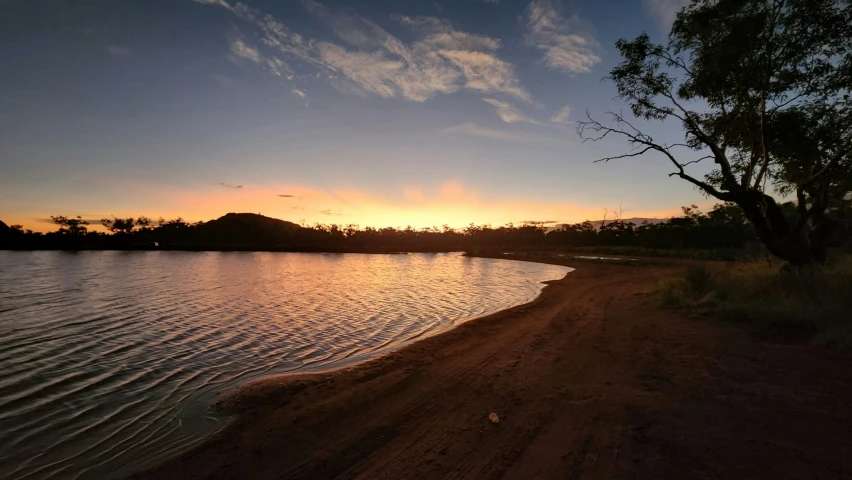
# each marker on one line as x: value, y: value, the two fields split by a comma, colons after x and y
x: 566, y: 41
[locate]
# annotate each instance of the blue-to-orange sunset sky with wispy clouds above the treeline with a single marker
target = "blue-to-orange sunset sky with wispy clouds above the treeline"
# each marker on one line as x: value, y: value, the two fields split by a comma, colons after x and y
x: 368, y: 112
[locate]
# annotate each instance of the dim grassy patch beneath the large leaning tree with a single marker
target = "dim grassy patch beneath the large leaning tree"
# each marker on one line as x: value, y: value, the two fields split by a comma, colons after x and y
x: 780, y: 304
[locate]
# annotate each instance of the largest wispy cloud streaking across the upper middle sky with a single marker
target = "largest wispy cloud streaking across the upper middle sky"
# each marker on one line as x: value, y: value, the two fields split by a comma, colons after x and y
x: 371, y: 61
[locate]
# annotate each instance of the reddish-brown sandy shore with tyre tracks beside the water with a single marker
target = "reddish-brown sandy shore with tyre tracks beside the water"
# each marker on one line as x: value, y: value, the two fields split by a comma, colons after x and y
x: 591, y: 380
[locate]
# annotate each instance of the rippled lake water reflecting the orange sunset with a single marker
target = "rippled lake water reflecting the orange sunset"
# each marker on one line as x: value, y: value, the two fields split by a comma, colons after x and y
x: 108, y: 360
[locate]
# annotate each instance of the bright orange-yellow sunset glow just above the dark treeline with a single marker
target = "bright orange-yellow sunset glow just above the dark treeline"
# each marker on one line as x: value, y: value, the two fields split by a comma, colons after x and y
x: 451, y: 203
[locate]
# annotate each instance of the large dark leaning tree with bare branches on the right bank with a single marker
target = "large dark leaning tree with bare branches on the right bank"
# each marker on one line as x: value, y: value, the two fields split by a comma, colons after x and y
x: 761, y: 88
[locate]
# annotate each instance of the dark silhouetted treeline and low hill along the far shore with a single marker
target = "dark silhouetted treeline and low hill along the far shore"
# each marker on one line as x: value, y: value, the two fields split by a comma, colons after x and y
x: 723, y: 228
